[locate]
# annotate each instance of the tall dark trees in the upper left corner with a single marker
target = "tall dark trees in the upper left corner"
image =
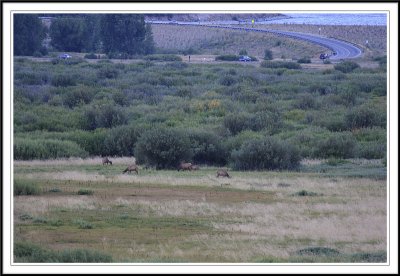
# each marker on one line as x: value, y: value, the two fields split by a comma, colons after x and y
x: 113, y: 34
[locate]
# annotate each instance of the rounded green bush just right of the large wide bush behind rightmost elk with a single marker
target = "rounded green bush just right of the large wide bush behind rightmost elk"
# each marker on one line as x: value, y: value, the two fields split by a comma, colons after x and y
x: 338, y: 145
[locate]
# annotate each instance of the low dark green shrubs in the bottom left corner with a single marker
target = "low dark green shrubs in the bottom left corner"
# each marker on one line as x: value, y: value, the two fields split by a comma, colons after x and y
x: 25, y: 252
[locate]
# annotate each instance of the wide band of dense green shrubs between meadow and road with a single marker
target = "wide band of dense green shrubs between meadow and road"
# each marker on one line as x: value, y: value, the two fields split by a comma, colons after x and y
x: 247, y: 117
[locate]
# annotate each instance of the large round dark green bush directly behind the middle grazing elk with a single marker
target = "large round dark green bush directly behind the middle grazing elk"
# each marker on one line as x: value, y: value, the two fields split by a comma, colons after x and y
x: 163, y: 148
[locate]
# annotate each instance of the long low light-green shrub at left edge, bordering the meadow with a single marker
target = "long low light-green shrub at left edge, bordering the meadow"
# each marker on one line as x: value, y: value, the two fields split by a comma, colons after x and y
x: 27, y: 149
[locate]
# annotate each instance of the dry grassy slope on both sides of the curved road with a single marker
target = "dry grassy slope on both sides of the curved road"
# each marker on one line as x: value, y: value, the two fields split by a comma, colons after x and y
x: 221, y: 41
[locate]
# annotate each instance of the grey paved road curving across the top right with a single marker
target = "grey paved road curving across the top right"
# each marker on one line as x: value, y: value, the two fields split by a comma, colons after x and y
x: 343, y: 49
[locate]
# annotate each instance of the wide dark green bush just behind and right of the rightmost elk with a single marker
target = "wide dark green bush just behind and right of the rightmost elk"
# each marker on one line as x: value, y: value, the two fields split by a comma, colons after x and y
x: 266, y: 153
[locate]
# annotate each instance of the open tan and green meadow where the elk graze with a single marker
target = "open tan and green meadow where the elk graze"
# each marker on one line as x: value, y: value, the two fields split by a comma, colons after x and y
x: 323, y: 212
